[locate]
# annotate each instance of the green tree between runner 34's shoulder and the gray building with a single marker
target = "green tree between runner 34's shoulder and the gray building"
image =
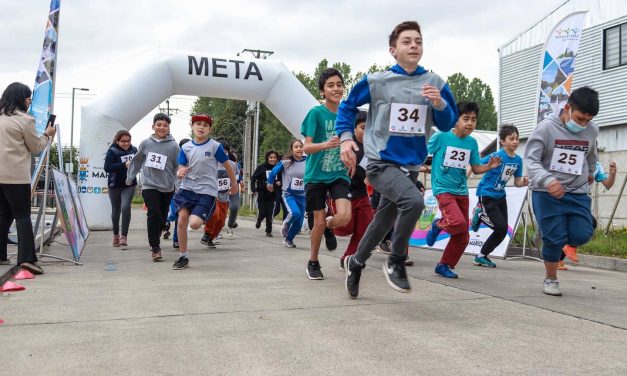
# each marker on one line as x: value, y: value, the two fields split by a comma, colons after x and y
x: 475, y: 91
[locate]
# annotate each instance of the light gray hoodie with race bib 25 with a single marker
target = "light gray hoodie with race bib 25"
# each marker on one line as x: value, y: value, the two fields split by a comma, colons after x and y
x: 552, y: 151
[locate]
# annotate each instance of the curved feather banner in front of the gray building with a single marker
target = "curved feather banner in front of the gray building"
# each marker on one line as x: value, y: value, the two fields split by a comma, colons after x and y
x: 558, y: 64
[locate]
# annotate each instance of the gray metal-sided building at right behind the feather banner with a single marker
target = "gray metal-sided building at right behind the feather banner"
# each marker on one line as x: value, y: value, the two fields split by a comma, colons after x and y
x: 601, y: 64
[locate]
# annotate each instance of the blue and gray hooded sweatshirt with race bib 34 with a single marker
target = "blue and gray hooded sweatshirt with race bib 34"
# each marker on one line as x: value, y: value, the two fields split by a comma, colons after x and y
x: 400, y: 118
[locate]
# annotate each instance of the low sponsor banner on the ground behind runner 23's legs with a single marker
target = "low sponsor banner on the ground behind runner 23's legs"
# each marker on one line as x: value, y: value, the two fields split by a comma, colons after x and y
x: 515, y: 200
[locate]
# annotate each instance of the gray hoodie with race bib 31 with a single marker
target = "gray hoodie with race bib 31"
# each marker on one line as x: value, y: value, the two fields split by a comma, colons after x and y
x: 158, y: 160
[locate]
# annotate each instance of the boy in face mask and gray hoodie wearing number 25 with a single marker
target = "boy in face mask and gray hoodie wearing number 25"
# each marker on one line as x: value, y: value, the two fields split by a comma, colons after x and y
x: 561, y: 157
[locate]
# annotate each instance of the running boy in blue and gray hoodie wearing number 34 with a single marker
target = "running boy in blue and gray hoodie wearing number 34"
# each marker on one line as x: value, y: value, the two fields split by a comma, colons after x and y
x: 405, y: 101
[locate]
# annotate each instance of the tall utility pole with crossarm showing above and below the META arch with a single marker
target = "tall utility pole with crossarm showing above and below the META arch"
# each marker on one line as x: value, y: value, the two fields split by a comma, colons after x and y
x: 251, y: 130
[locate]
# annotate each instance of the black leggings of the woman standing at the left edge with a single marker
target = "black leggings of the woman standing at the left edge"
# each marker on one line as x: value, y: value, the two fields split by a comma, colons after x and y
x: 15, y: 204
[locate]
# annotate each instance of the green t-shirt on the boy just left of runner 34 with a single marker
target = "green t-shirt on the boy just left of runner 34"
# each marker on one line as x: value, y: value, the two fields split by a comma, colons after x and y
x: 324, y: 166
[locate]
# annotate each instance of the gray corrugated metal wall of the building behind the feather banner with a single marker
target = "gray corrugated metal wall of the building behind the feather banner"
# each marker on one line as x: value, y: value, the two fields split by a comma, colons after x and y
x: 519, y: 75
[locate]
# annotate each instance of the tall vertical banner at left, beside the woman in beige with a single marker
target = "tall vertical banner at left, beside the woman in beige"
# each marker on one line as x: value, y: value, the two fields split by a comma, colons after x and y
x: 43, y: 91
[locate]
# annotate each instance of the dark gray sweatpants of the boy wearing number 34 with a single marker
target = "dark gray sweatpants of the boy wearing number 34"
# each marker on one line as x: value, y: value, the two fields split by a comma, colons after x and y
x: 400, y: 207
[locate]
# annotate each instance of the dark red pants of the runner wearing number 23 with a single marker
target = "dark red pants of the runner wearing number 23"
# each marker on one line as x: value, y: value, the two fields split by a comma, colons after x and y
x: 454, y: 221
